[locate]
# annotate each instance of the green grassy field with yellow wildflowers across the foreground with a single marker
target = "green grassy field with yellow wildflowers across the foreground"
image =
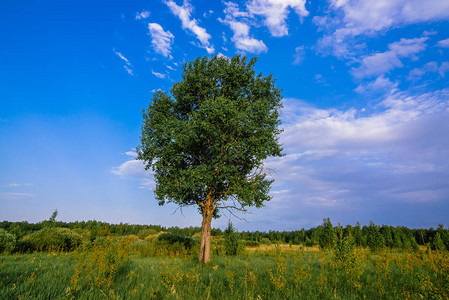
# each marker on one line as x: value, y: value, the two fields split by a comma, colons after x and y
x: 113, y: 271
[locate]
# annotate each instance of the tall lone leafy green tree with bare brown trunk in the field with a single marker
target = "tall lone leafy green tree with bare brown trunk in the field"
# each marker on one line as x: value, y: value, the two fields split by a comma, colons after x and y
x: 206, y: 142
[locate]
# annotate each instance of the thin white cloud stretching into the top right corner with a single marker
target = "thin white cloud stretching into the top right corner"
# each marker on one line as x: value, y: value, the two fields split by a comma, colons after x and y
x: 350, y: 18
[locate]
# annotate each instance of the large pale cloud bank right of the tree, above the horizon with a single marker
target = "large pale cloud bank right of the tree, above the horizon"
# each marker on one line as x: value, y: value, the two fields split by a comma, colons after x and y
x: 353, y: 160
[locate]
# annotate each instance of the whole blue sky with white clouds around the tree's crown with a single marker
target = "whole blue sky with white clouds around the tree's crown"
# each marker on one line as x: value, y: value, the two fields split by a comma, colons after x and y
x: 365, y: 118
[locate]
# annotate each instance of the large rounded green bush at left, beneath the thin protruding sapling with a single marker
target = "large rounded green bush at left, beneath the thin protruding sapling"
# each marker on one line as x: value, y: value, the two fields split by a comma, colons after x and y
x: 52, y: 239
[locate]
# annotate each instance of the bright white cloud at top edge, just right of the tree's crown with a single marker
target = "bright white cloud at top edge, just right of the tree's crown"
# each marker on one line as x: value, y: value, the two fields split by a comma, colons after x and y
x: 275, y: 13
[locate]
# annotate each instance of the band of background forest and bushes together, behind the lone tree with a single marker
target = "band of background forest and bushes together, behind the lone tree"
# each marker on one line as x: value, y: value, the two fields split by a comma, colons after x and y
x: 51, y: 234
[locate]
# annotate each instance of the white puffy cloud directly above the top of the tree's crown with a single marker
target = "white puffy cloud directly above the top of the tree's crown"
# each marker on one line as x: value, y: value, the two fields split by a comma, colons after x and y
x: 241, y: 38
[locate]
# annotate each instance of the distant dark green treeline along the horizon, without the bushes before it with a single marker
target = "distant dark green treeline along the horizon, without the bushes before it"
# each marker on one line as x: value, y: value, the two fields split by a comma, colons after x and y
x: 388, y: 236
